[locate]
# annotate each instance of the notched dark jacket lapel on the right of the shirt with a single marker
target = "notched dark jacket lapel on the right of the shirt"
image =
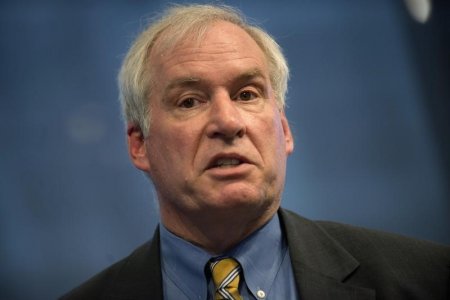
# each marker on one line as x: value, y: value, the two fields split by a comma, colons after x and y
x: 320, y: 264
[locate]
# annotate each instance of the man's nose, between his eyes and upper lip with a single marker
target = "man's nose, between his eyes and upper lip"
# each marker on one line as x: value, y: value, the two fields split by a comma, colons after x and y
x: 225, y: 119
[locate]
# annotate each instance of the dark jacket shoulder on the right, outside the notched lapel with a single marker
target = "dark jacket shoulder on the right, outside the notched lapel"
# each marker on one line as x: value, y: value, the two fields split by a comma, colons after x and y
x: 397, y: 265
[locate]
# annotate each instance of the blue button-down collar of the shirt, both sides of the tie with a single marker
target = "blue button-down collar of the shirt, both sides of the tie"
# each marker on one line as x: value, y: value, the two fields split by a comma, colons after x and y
x: 260, y: 256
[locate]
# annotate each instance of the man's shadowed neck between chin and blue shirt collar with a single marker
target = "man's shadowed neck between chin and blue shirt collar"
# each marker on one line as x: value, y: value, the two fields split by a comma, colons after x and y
x: 218, y: 231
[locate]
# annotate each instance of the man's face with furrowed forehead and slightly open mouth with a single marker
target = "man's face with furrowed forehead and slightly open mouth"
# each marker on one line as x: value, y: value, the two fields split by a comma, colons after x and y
x: 217, y: 139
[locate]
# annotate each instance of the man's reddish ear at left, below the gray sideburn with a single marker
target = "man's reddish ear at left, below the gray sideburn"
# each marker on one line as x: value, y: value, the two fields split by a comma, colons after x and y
x: 137, y: 148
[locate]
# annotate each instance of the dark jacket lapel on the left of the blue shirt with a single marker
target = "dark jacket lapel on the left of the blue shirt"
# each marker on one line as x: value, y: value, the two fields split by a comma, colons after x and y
x: 140, y: 277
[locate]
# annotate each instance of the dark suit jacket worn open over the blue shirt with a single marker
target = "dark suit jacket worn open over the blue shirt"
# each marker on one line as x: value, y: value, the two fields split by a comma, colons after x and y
x: 330, y: 261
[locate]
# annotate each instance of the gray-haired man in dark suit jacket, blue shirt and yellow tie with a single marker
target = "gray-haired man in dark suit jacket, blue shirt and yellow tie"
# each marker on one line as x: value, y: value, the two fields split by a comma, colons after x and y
x: 203, y: 97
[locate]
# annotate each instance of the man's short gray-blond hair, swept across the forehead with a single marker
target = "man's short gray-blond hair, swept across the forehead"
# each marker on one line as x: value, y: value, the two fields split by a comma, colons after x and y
x: 136, y: 76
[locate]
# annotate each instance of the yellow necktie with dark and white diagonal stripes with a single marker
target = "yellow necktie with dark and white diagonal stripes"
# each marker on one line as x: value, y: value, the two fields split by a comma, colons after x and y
x: 225, y: 274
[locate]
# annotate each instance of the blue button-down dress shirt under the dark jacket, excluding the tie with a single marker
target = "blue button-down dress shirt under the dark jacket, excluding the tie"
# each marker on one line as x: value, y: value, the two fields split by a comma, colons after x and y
x: 264, y: 257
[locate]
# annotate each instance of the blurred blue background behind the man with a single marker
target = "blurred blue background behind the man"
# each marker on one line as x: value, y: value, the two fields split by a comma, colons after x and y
x: 368, y: 103
